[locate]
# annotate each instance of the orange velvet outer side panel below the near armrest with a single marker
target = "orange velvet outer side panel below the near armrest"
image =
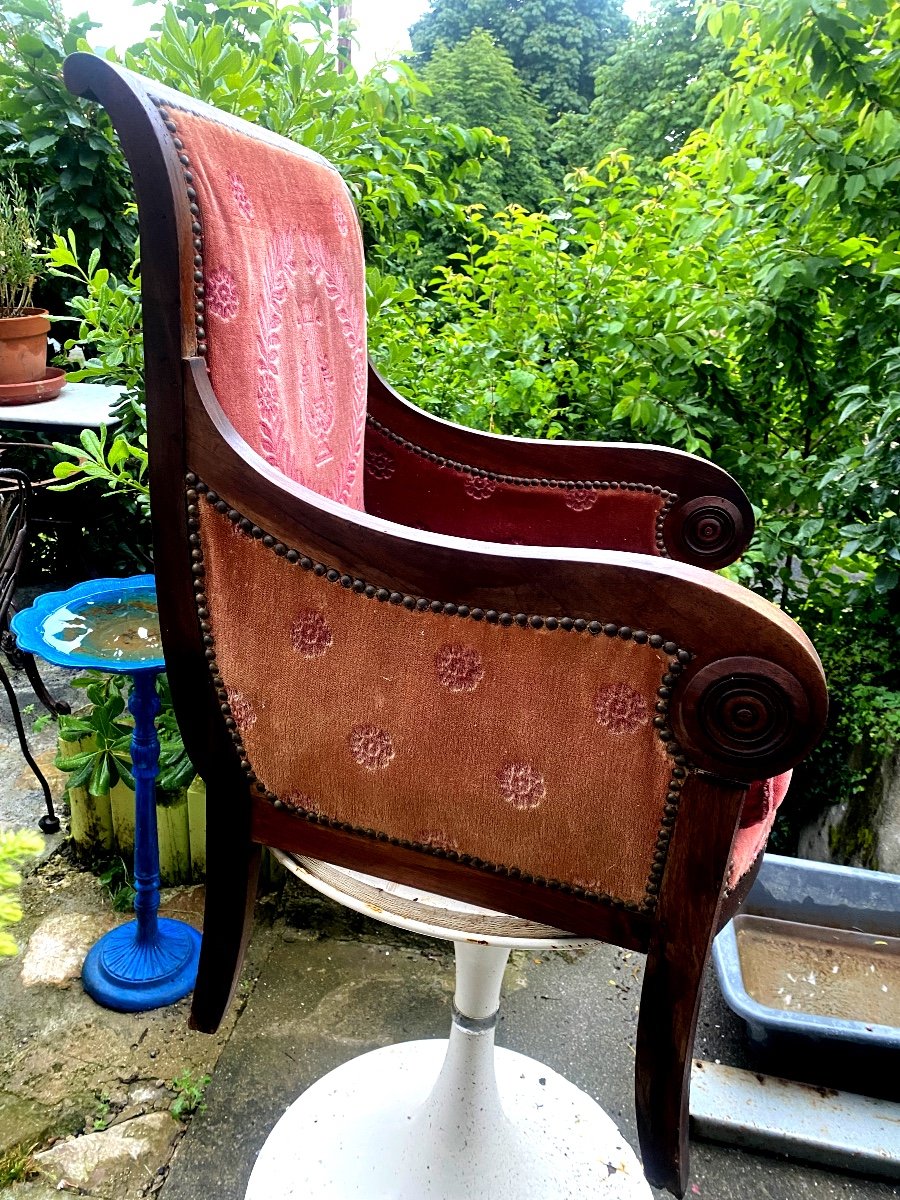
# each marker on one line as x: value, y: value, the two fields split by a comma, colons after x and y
x: 529, y: 749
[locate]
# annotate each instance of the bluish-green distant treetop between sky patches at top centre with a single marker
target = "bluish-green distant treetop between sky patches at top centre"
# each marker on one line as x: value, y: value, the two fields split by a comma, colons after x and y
x: 555, y: 45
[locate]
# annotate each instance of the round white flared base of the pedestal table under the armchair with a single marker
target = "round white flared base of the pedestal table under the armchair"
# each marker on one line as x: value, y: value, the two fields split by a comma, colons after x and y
x: 371, y: 1131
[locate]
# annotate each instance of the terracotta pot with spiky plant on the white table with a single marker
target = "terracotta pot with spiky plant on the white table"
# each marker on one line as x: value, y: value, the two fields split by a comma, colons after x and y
x: 23, y: 329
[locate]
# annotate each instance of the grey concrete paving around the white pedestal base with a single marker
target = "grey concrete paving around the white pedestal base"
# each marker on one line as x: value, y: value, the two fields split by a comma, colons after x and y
x: 333, y: 986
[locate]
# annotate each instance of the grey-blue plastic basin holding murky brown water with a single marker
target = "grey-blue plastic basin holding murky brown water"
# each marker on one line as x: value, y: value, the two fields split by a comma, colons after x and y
x: 813, y: 967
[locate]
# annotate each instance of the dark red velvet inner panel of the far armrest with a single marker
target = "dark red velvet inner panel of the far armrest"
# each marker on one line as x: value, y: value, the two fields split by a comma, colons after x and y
x: 461, y: 500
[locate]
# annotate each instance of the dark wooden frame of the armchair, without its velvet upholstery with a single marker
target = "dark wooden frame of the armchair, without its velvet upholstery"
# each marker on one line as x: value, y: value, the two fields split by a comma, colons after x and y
x: 715, y: 691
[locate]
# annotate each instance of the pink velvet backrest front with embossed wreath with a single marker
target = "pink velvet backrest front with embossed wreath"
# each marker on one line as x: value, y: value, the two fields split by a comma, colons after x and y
x: 281, y: 257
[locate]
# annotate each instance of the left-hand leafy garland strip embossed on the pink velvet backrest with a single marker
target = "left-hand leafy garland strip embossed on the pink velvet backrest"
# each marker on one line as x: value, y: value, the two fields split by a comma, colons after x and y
x: 279, y: 274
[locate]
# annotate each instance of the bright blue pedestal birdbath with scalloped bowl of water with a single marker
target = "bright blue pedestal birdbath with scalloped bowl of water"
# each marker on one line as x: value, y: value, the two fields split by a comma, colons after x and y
x: 113, y: 626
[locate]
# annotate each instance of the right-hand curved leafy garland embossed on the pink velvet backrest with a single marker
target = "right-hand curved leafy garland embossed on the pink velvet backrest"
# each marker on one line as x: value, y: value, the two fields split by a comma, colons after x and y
x: 347, y: 304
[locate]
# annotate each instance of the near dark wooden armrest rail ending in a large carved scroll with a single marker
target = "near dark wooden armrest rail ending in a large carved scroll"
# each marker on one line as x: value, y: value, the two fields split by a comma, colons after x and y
x: 748, y: 691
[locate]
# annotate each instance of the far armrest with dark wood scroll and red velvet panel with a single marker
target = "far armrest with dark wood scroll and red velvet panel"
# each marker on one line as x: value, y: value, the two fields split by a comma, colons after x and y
x: 446, y: 478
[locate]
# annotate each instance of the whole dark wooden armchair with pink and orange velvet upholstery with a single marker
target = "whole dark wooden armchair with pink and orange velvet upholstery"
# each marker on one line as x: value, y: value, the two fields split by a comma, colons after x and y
x: 496, y: 669
